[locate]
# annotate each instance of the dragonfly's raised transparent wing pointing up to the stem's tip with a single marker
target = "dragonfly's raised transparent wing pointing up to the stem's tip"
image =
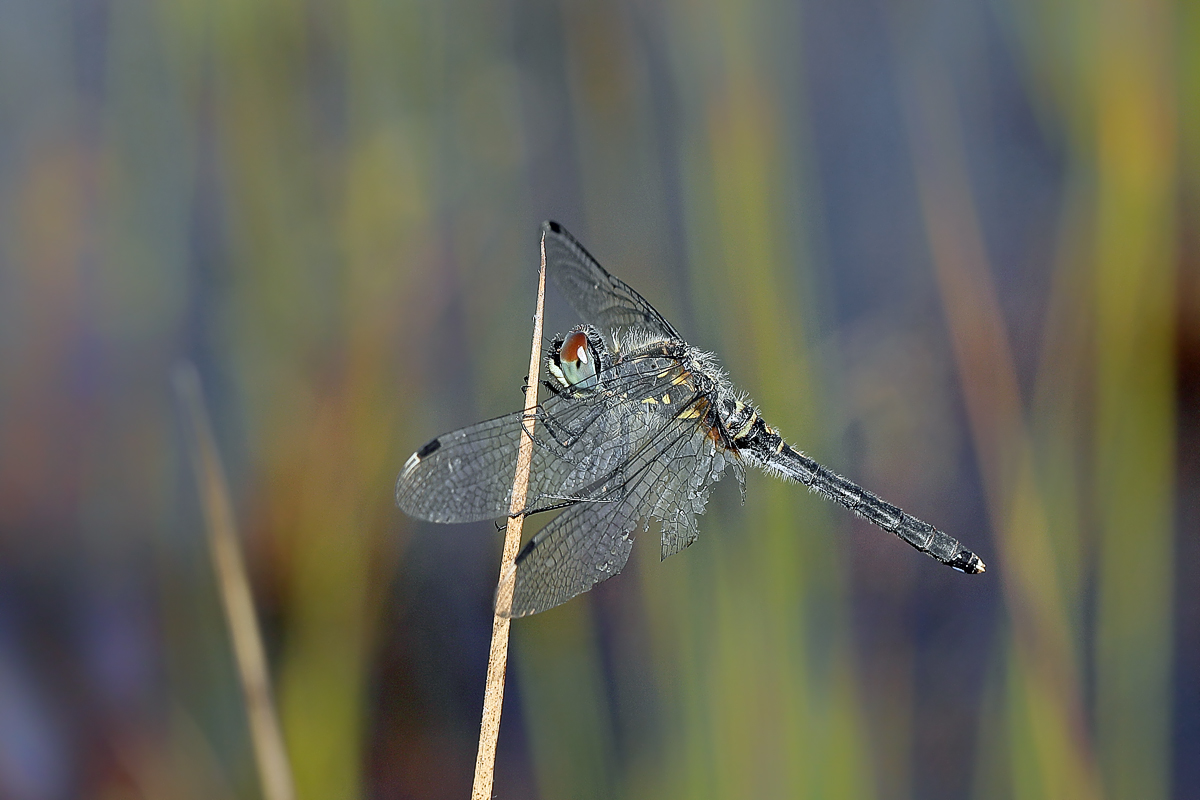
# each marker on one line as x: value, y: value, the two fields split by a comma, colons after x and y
x: 601, y: 299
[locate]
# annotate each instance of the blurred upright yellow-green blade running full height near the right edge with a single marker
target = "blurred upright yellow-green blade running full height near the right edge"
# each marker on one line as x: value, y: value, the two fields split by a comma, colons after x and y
x: 1135, y: 304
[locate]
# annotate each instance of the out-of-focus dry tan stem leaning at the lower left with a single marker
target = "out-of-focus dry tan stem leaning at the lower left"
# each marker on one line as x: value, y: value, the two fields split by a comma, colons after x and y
x: 274, y: 771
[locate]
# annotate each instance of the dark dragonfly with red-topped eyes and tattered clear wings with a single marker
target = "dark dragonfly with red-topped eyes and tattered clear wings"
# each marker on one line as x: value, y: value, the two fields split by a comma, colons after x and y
x: 637, y: 429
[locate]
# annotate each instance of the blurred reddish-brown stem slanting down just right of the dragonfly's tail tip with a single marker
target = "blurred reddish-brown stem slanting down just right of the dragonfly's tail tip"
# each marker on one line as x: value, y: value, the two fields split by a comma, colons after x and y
x: 1060, y: 755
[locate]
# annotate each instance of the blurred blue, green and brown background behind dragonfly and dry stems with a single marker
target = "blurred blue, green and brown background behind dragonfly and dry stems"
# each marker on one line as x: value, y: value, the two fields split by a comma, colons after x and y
x: 951, y: 250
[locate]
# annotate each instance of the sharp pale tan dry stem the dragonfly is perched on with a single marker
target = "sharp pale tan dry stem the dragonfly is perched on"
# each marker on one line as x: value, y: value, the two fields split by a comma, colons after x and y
x: 497, y: 663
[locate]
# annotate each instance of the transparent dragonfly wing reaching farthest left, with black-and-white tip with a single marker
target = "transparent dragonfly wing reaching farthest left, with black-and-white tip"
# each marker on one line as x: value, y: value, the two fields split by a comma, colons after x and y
x: 581, y: 447
